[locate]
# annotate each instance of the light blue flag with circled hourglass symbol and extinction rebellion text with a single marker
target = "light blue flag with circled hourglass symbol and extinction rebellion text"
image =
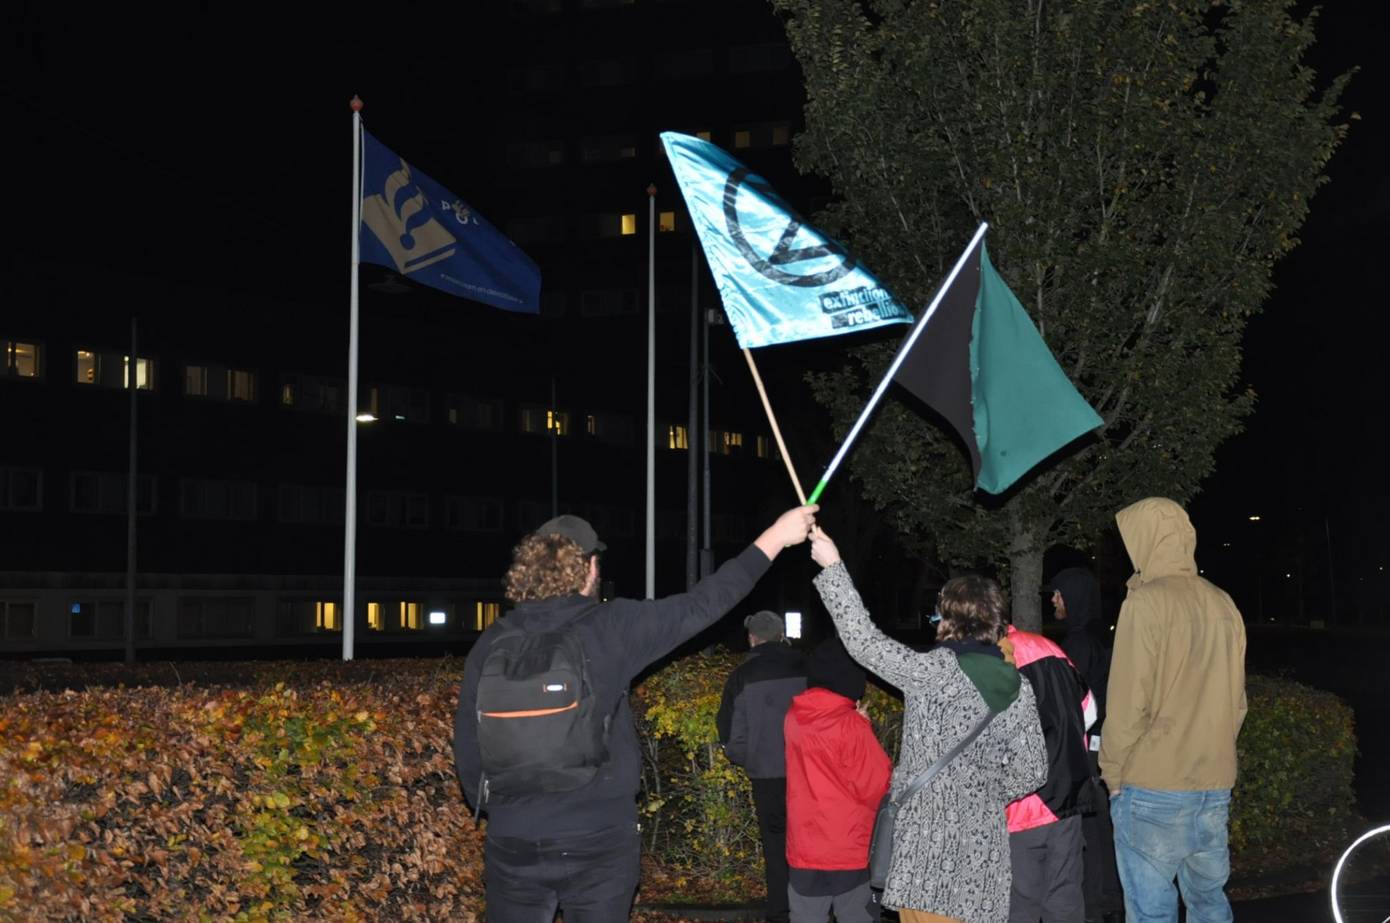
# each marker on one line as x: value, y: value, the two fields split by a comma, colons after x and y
x: 780, y: 279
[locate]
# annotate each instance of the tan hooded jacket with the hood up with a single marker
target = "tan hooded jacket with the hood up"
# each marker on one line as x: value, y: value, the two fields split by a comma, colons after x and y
x: 1178, y: 679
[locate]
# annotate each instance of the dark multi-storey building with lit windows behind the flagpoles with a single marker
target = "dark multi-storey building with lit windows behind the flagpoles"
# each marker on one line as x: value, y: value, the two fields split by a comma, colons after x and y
x: 486, y: 422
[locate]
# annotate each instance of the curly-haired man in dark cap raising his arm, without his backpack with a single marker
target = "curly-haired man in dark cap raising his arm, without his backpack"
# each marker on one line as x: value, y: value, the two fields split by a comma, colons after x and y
x: 579, y: 850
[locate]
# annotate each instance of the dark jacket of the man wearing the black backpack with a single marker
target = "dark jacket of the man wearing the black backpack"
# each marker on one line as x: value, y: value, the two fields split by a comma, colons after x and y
x: 621, y: 639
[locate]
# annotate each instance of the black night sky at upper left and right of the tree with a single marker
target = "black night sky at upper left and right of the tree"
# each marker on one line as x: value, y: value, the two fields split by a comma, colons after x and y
x: 216, y: 142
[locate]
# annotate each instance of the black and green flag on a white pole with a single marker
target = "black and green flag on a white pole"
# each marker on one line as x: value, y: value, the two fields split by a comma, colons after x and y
x: 981, y: 364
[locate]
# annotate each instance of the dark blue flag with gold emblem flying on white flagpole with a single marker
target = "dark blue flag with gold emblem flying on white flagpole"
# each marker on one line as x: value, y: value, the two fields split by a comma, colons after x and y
x: 419, y: 229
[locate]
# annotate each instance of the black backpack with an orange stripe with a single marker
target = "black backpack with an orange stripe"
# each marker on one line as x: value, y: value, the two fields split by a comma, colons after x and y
x: 540, y: 728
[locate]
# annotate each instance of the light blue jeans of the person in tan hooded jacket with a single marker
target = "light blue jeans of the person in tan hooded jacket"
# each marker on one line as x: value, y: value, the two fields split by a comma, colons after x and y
x: 1167, y: 835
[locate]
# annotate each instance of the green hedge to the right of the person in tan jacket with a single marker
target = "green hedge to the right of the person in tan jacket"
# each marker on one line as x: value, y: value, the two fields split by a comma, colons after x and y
x: 1295, y: 792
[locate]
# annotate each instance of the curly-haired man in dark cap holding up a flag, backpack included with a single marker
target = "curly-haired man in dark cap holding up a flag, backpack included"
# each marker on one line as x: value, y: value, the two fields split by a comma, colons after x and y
x: 569, y: 846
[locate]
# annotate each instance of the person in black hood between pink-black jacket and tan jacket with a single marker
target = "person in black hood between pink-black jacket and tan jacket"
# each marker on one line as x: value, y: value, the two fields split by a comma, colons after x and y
x: 1077, y: 603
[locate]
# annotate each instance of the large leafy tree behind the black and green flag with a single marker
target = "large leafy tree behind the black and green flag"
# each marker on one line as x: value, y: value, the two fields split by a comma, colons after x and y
x: 1142, y: 165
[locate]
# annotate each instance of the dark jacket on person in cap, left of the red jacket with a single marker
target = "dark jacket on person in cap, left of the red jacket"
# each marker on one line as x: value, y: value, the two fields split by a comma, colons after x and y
x: 754, y: 708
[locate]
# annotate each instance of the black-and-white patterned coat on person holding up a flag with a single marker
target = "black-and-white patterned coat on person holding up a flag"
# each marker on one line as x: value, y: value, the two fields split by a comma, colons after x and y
x: 951, y: 846
